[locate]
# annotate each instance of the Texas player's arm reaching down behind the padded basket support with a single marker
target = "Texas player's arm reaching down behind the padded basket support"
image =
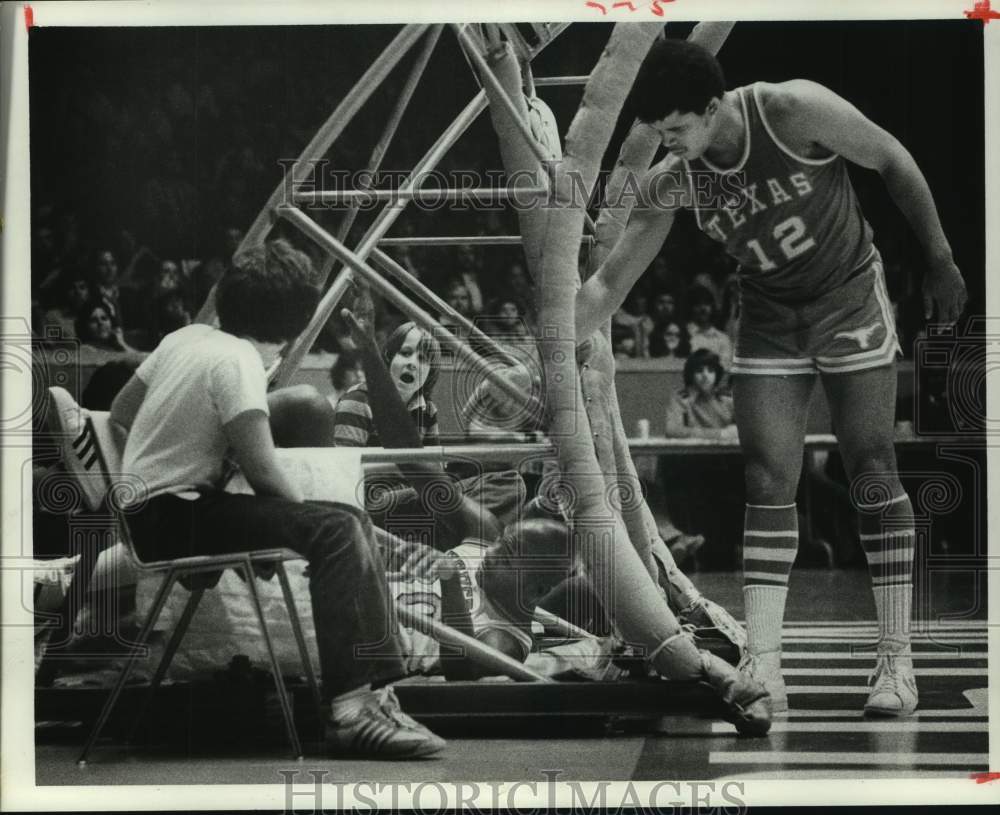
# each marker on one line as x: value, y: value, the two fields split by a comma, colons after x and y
x: 650, y: 222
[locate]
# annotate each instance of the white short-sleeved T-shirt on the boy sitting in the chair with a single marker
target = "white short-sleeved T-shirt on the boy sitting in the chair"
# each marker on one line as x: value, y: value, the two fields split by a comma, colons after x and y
x: 197, y: 380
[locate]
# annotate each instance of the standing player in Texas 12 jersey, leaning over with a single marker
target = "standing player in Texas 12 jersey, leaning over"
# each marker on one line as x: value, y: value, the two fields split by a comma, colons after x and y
x: 764, y: 169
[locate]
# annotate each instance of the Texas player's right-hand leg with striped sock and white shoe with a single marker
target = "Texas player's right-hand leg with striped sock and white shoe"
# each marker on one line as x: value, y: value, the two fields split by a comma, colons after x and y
x: 862, y: 405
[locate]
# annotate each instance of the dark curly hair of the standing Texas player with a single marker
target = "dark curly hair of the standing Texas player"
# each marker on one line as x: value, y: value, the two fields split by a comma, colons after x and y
x: 676, y: 76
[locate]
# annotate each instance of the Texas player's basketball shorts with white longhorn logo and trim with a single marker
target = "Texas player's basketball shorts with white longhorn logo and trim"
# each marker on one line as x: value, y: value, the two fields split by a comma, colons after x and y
x: 848, y: 329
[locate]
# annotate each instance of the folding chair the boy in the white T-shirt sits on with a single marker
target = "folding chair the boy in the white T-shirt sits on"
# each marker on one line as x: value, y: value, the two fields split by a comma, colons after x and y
x: 92, y: 456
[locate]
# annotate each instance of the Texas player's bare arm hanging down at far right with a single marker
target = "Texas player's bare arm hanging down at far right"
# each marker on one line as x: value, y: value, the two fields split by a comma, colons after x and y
x: 821, y: 116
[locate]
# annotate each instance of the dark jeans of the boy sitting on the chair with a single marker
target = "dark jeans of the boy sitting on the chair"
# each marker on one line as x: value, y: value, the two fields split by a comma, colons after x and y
x: 354, y: 615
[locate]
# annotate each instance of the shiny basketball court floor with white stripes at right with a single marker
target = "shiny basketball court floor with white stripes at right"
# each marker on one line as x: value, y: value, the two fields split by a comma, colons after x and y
x: 828, y: 640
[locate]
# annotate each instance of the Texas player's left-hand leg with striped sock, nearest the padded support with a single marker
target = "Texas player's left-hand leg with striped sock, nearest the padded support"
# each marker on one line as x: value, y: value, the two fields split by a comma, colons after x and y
x: 771, y: 413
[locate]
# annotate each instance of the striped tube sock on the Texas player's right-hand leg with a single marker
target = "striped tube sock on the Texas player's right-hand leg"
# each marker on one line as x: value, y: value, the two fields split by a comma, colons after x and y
x: 887, y: 536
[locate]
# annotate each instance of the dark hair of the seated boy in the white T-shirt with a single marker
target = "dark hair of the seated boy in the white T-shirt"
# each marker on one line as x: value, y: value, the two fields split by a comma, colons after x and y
x: 269, y: 295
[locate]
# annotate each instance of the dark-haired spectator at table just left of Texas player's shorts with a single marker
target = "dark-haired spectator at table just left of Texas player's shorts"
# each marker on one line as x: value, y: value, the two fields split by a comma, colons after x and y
x: 701, y: 409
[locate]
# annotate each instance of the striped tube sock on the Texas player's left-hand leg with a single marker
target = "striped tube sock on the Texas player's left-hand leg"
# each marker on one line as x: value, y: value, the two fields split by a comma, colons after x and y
x: 770, y: 541
